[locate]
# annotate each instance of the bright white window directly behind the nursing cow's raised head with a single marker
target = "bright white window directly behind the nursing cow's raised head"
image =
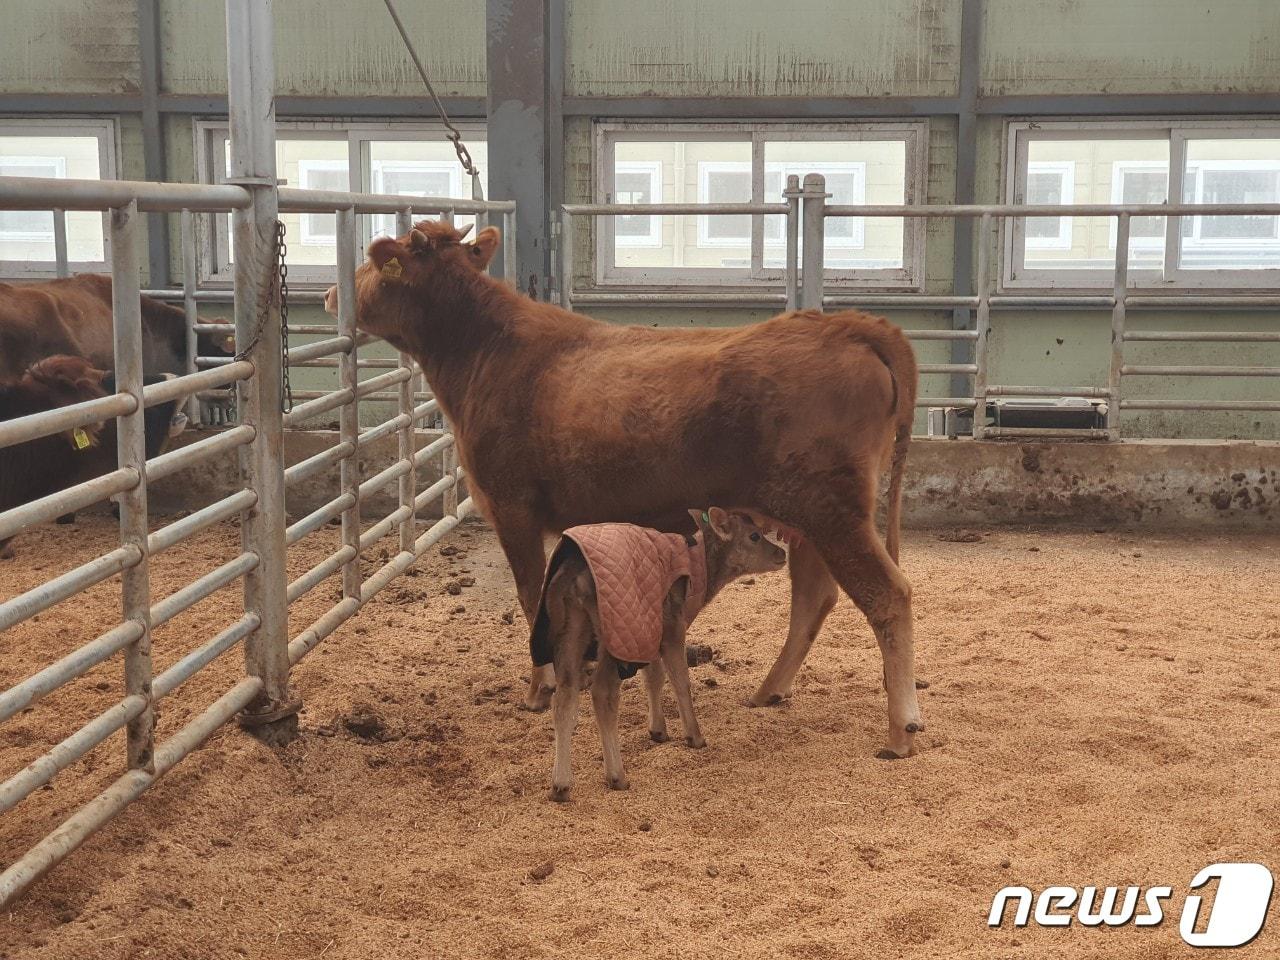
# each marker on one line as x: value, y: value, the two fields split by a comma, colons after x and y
x: 409, y: 159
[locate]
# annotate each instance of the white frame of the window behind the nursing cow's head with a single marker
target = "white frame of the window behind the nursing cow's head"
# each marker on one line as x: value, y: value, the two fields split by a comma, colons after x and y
x: 216, y: 266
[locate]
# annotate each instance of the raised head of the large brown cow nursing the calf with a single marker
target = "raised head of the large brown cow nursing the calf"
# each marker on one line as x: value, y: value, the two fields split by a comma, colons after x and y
x: 392, y: 286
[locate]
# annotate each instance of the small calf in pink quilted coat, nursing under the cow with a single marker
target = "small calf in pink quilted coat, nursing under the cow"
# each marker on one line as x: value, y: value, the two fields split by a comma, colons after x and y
x: 628, y: 595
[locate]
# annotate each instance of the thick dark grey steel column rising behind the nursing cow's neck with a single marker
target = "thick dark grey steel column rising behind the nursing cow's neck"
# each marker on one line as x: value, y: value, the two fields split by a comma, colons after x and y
x: 522, y: 125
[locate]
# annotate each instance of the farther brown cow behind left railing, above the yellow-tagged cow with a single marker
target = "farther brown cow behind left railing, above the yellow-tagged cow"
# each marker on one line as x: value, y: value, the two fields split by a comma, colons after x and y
x: 74, y: 317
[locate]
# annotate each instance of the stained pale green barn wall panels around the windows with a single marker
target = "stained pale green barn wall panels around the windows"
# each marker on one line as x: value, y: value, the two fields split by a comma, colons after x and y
x: 723, y: 49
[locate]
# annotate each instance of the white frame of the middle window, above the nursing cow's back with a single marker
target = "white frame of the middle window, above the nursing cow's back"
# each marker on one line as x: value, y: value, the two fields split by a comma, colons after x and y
x: 908, y: 278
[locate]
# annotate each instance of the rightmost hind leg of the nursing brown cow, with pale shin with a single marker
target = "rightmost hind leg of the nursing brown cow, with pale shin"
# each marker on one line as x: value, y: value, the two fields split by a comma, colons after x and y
x: 863, y: 569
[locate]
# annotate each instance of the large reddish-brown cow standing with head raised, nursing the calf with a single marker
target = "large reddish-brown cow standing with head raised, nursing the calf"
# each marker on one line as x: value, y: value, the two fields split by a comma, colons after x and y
x: 565, y: 420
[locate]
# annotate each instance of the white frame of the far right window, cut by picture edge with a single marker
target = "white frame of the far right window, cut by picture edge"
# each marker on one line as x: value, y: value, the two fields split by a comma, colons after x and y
x: 1172, y: 276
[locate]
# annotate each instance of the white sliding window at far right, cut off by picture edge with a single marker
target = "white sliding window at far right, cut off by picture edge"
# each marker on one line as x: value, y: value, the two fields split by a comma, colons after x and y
x: 1150, y: 163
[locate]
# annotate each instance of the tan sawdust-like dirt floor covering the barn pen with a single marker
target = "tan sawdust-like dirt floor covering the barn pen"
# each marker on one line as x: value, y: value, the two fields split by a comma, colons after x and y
x: 1103, y: 710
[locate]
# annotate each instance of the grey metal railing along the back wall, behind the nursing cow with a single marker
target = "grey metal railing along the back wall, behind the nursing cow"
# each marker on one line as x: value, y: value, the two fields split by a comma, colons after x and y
x: 808, y: 205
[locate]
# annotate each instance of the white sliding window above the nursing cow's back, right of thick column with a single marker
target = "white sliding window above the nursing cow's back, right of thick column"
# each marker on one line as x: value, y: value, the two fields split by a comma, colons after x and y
x: 749, y: 163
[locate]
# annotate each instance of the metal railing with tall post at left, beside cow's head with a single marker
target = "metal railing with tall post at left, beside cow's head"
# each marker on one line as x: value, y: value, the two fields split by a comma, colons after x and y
x: 262, y: 623
